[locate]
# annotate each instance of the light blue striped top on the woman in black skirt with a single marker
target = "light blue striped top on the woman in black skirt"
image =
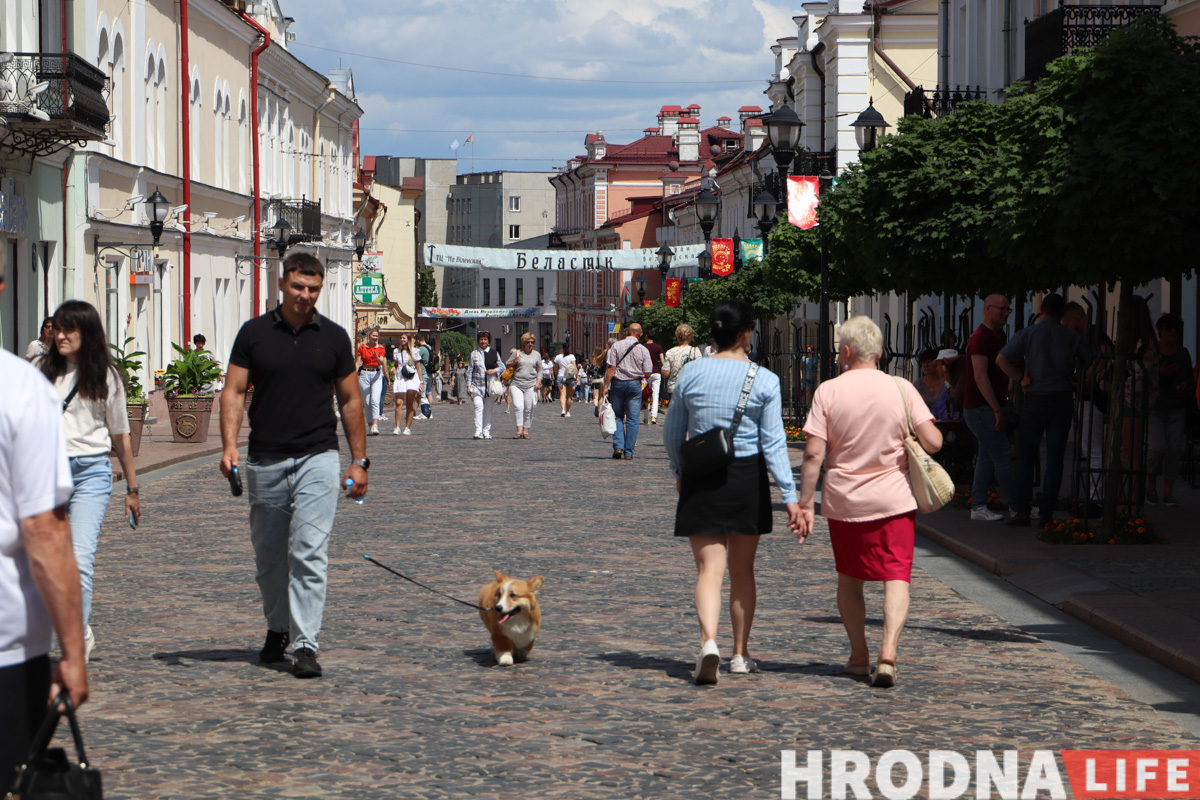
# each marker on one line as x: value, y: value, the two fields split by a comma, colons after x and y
x: 706, y: 398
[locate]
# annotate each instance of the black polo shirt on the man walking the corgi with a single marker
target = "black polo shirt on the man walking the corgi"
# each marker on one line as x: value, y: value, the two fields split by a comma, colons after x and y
x: 295, y: 375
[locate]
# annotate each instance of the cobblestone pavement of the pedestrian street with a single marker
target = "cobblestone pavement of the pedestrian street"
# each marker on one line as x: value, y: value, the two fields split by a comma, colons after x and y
x: 412, y: 706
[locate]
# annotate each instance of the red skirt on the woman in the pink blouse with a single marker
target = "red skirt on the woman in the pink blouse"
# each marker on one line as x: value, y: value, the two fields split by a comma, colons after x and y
x: 877, y: 550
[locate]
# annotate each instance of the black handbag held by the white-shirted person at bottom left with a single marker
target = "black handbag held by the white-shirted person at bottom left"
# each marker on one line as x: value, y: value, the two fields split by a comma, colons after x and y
x: 47, y: 774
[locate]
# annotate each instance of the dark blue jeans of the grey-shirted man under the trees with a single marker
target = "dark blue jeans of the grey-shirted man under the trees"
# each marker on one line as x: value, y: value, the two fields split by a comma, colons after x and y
x: 1047, y: 416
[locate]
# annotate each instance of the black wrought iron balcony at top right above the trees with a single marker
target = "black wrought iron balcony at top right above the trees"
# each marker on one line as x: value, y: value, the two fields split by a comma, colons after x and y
x: 1071, y: 28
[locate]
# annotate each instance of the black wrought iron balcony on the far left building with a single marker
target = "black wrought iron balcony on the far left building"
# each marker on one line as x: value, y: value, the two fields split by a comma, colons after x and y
x: 51, y: 101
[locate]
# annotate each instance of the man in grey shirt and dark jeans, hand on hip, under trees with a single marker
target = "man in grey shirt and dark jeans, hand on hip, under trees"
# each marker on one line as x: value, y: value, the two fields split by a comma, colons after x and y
x: 1043, y: 359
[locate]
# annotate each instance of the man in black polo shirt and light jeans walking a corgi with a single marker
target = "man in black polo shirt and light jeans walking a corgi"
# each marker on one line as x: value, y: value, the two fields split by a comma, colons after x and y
x: 297, y: 360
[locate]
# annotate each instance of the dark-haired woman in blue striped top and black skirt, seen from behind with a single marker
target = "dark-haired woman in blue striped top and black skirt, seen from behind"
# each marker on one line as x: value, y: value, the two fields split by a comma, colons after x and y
x: 724, y: 513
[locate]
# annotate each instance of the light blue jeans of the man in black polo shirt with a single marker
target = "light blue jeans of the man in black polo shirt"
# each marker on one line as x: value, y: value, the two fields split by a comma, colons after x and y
x: 292, y: 507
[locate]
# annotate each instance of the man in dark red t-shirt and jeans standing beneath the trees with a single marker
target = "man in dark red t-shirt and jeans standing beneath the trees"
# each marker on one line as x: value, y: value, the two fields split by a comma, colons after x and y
x: 983, y: 408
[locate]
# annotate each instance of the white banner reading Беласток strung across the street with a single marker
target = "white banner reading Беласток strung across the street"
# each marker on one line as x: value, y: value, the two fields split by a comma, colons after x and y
x: 593, y: 261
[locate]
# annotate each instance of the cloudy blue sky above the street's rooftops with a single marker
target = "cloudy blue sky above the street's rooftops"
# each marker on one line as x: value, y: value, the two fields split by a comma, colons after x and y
x: 625, y: 59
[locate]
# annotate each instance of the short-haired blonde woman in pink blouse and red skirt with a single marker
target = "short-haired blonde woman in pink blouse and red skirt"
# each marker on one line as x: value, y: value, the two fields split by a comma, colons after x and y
x: 857, y: 429
